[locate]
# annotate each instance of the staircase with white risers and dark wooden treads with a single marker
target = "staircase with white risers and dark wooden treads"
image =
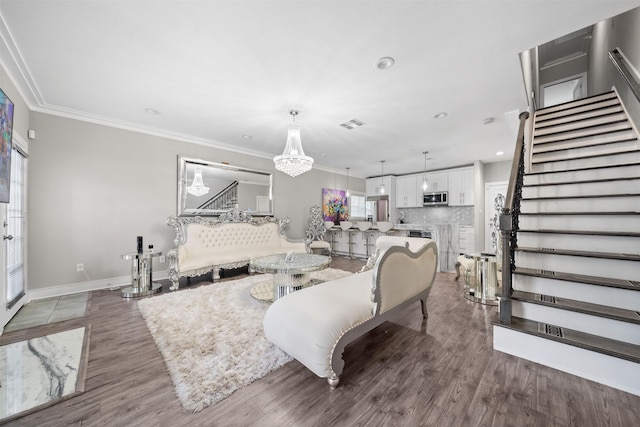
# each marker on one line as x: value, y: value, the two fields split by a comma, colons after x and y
x: 576, y: 284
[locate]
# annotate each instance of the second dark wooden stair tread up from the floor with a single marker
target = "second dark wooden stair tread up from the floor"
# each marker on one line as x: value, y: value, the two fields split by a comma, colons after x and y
x: 578, y: 306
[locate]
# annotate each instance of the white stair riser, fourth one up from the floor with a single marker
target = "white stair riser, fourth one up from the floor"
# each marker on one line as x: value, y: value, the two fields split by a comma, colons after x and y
x: 598, y: 267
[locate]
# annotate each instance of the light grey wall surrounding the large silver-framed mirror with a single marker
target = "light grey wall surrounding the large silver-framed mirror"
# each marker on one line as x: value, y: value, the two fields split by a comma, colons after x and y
x: 94, y: 188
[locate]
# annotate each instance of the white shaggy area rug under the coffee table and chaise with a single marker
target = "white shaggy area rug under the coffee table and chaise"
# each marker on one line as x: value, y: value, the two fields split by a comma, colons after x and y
x: 212, y: 340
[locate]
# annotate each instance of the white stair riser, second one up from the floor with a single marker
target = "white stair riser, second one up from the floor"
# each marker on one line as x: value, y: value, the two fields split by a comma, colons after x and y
x: 594, y: 325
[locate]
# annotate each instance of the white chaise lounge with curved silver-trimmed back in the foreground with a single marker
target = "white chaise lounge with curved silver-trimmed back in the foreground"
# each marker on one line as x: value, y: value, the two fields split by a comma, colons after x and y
x: 314, y: 325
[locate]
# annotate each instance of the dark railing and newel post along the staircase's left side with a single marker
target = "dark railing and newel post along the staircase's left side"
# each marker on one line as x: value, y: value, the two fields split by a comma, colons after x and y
x: 509, y: 220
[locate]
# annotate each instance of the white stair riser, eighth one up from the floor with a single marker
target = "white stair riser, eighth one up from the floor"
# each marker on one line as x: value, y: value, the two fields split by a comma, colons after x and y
x: 629, y: 186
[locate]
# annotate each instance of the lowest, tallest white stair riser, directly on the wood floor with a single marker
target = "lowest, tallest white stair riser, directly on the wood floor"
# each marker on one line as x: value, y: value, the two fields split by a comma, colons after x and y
x: 611, y: 371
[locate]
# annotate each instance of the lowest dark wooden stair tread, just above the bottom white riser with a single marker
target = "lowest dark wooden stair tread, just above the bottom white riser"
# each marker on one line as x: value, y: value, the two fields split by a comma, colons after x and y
x: 575, y: 338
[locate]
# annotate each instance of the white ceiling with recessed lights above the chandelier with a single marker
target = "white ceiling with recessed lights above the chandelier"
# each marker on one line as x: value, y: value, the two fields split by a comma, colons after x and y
x: 218, y: 70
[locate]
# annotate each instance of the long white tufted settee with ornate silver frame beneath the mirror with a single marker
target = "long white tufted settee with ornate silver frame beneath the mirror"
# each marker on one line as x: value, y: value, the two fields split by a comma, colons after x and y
x: 232, y: 241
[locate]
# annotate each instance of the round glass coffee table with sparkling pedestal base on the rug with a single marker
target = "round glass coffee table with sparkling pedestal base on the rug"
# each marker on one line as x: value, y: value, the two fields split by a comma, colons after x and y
x: 291, y: 272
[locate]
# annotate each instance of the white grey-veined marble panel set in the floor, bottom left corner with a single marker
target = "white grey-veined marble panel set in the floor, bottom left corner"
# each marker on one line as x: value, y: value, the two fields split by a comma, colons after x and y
x: 39, y: 371
